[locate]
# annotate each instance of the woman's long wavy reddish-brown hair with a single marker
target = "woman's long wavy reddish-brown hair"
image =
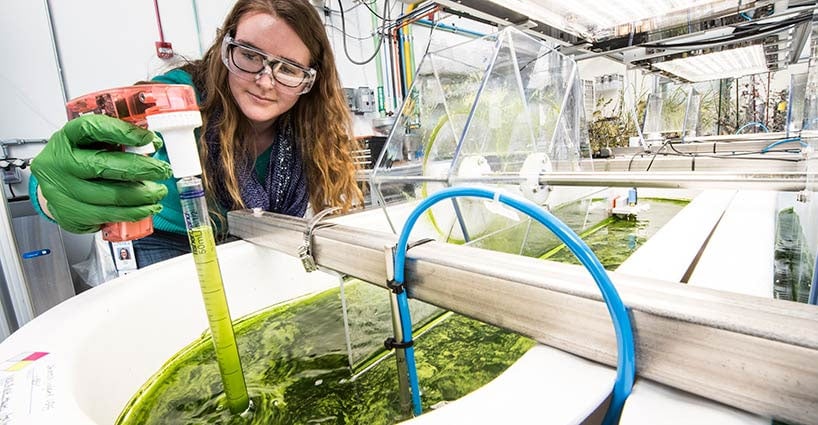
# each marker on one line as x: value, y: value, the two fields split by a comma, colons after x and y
x: 321, y: 118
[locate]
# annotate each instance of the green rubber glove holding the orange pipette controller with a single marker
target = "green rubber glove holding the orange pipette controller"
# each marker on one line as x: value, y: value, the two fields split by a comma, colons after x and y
x: 87, y: 184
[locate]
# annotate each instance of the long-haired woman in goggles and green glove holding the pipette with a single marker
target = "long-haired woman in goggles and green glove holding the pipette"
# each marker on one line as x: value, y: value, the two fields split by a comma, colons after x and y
x: 276, y: 134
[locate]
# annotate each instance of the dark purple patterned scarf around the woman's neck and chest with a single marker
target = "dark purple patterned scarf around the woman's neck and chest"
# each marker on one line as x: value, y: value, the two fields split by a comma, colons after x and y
x: 283, y: 191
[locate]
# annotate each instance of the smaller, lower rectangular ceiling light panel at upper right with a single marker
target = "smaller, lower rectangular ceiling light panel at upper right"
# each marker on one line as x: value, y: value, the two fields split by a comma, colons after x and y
x: 732, y: 63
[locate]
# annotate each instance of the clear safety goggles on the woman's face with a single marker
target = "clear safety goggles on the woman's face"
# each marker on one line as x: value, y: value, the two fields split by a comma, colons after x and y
x: 249, y: 63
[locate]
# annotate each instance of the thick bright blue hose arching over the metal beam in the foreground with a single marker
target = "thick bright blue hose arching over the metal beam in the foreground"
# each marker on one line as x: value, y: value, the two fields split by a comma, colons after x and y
x: 626, y: 358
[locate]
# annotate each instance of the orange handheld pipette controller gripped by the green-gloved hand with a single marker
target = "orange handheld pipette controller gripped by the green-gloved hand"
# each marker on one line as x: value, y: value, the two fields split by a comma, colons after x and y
x: 134, y: 104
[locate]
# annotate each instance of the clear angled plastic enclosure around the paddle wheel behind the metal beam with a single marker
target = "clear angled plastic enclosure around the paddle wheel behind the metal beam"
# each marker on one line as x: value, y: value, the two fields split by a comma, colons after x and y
x: 497, y: 110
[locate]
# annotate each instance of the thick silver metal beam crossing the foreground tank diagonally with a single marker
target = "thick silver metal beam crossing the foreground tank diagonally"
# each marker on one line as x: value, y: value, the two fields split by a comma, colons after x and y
x: 751, y: 353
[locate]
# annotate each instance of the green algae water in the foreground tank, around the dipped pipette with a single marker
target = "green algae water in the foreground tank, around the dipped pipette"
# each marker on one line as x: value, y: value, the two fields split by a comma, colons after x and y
x: 297, y: 371
